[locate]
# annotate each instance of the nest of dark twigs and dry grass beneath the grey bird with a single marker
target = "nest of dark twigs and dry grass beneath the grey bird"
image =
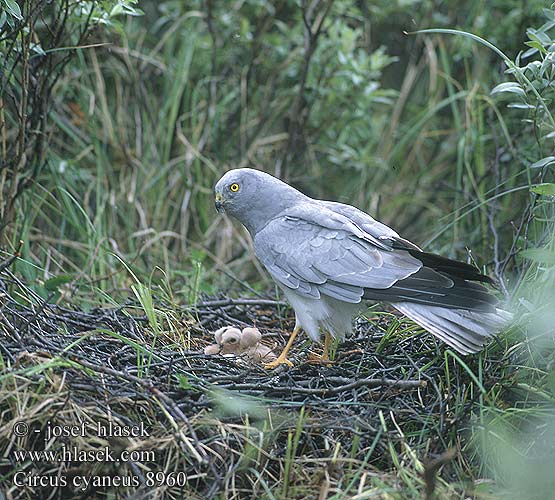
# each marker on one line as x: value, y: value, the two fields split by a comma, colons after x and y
x: 234, y: 430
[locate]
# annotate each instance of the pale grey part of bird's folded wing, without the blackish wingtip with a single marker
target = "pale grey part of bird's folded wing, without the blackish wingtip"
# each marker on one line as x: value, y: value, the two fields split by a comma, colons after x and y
x: 328, y: 253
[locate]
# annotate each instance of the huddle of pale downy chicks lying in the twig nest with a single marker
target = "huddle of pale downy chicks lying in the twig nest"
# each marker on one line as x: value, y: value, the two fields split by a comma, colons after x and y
x: 231, y: 341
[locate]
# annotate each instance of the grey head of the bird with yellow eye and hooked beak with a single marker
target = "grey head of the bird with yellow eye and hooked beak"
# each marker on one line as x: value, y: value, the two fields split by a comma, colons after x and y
x: 253, y: 197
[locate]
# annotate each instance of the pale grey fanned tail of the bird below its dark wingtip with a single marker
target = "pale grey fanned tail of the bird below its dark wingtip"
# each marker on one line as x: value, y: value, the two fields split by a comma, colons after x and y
x: 464, y: 330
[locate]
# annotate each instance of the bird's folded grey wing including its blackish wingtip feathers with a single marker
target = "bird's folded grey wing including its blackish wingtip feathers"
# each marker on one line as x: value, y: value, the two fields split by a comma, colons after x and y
x: 316, y: 249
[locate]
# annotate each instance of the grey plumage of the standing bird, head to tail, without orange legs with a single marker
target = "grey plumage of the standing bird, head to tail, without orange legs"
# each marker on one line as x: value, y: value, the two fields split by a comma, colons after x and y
x: 328, y: 257
